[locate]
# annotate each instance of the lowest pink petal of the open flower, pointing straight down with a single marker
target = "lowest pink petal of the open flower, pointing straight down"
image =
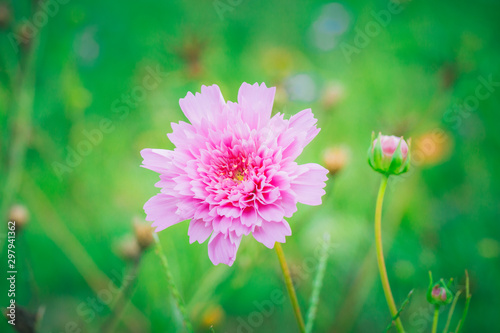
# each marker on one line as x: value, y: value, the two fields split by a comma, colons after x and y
x: 222, y: 248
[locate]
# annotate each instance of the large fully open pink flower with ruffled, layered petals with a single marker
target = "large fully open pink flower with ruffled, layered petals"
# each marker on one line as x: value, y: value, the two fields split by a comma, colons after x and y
x: 233, y: 170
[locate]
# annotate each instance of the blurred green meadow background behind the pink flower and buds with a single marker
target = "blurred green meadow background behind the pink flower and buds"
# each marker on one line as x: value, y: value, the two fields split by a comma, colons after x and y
x: 71, y: 69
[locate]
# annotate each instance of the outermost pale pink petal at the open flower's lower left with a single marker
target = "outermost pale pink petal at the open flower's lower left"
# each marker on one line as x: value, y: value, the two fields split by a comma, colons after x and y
x: 161, y: 210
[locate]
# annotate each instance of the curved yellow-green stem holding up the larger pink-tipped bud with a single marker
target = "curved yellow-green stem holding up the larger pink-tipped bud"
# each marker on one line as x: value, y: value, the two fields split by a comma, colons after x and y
x: 380, y: 255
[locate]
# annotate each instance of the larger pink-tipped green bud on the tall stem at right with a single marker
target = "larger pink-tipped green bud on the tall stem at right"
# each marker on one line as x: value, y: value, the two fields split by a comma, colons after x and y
x: 389, y: 155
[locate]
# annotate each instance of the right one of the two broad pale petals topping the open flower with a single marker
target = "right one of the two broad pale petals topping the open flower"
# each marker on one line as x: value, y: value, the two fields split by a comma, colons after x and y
x: 256, y: 103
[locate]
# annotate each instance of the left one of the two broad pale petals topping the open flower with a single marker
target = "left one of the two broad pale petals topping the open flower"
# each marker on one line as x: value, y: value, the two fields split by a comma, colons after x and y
x: 207, y: 104
